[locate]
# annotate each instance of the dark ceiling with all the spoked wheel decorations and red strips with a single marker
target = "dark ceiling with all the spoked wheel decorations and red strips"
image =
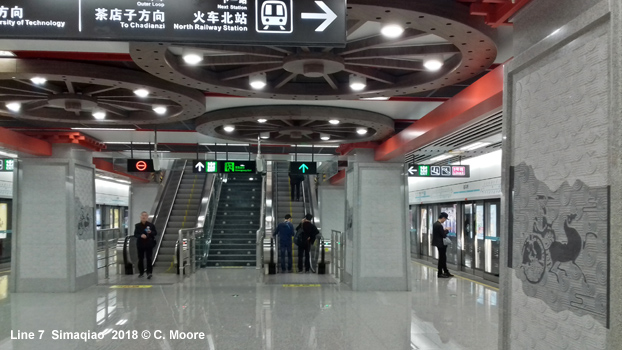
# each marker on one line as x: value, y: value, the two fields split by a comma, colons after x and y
x: 196, y: 96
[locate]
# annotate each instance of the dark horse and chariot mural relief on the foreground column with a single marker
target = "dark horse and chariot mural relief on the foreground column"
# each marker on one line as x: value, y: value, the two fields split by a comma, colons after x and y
x: 560, y: 244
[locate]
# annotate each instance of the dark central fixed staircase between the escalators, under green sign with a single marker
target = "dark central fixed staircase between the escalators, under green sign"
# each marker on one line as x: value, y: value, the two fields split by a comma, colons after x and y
x: 237, y: 221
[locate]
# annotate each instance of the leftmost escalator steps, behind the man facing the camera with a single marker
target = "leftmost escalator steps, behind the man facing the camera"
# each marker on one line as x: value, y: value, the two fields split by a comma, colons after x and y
x: 184, y: 215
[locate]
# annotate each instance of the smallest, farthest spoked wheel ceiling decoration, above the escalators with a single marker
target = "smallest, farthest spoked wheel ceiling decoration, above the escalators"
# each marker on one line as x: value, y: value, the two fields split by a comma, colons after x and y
x: 295, y: 124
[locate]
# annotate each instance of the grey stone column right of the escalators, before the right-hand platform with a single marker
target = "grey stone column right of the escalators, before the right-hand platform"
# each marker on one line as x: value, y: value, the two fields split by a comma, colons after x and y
x: 377, y: 256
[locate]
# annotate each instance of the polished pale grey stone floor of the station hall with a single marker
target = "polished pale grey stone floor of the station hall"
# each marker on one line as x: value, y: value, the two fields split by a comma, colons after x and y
x: 235, y: 309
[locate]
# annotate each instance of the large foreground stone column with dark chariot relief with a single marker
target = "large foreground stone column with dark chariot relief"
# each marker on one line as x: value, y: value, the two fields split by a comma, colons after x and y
x: 560, y: 282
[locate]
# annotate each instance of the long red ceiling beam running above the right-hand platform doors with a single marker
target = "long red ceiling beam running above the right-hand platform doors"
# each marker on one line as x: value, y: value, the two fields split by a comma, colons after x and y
x: 480, y: 98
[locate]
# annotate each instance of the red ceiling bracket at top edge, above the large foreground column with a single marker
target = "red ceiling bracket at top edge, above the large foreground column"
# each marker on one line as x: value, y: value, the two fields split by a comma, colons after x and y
x: 497, y: 12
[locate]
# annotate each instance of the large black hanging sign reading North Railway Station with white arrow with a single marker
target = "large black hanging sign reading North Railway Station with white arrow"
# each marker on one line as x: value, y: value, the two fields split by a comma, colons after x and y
x: 293, y: 22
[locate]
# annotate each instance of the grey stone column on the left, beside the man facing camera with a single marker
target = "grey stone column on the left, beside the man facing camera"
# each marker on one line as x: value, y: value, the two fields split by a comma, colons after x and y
x: 54, y: 246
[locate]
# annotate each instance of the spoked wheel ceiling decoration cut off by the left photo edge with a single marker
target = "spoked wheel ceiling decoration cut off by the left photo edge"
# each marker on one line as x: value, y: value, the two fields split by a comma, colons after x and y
x: 77, y: 93
